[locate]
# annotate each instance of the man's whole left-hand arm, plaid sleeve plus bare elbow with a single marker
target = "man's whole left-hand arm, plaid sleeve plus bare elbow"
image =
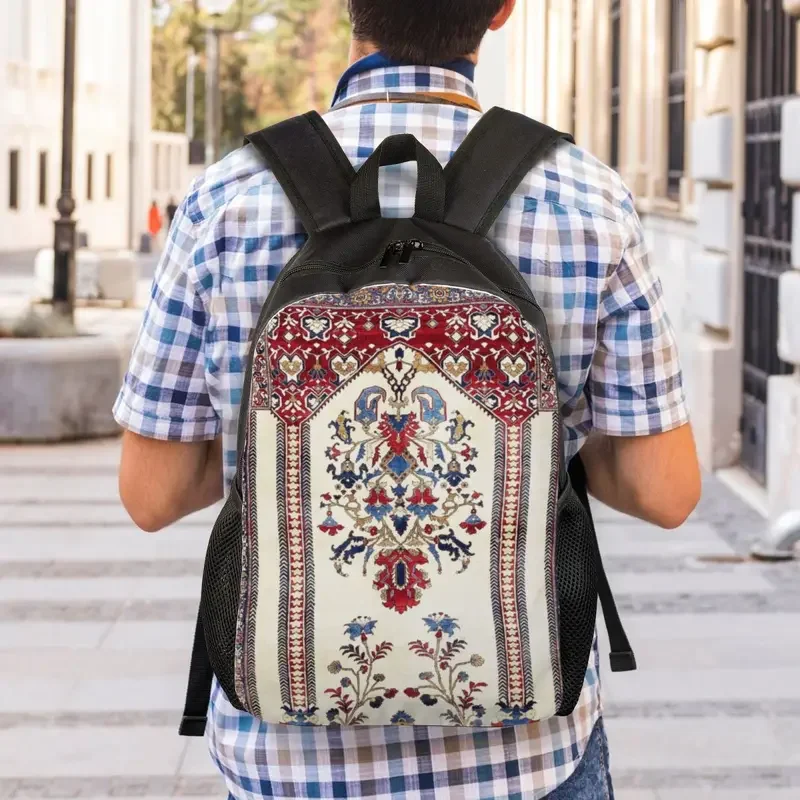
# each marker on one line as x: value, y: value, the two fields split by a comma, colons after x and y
x: 171, y: 461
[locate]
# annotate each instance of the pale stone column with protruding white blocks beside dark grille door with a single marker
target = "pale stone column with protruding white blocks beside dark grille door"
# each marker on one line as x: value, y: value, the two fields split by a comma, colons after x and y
x: 715, y: 163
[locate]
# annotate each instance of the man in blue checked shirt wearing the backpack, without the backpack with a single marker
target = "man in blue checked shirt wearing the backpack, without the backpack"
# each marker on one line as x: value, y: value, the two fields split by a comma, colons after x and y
x: 572, y: 230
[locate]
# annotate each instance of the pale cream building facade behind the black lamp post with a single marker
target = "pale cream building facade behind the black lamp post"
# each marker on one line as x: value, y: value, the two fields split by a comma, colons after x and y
x: 111, y: 181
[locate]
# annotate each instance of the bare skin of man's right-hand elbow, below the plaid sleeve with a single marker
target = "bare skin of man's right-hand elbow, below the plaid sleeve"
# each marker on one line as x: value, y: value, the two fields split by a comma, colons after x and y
x: 655, y: 478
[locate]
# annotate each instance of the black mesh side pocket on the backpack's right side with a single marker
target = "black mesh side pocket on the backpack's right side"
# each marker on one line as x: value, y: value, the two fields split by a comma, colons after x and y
x: 576, y: 587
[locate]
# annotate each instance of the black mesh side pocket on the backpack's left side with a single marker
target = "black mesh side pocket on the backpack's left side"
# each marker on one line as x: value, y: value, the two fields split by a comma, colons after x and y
x: 219, y: 603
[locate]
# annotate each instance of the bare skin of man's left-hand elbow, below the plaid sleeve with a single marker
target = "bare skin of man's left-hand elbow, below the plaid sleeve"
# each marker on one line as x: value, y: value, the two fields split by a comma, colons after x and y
x: 161, y: 482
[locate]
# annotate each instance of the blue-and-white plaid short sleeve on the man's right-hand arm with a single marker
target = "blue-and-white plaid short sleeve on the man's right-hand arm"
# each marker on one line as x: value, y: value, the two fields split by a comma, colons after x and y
x: 635, y: 382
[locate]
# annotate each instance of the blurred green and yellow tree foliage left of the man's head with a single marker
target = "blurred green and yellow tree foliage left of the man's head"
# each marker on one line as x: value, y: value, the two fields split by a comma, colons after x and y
x: 285, y: 61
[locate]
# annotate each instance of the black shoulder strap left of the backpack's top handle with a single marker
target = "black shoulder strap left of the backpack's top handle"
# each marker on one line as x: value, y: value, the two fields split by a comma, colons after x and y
x: 311, y: 167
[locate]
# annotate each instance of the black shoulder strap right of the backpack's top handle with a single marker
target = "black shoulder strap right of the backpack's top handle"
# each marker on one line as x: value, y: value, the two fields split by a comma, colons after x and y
x: 491, y: 163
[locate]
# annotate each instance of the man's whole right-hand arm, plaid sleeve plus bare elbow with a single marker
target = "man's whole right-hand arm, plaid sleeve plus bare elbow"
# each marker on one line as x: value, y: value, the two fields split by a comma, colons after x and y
x: 640, y: 457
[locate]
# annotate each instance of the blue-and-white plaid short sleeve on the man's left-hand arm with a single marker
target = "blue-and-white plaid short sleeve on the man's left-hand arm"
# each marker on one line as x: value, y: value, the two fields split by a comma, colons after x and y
x: 164, y: 394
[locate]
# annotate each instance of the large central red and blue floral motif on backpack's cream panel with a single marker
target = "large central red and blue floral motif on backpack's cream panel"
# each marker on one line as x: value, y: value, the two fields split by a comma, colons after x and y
x: 402, y: 494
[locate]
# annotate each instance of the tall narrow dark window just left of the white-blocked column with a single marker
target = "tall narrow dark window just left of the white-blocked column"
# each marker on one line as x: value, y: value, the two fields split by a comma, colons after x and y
x: 676, y: 117
